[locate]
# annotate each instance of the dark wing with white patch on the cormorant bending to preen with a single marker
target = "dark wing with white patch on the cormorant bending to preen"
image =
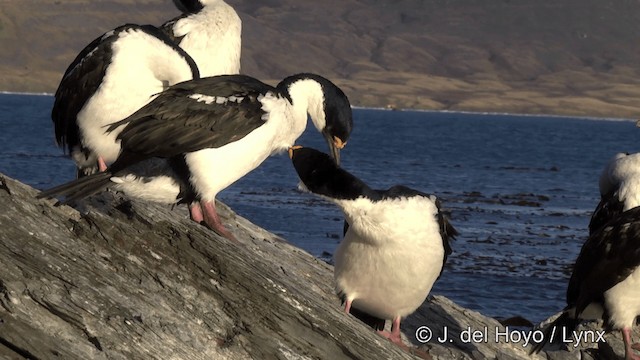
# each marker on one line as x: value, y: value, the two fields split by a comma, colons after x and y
x: 193, y: 115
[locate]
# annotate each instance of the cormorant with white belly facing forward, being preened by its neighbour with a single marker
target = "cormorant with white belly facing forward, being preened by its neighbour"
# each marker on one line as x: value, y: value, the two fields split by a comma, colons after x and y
x: 395, y: 246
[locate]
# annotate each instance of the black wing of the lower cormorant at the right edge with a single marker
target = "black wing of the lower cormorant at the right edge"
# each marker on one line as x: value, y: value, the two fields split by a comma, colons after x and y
x: 607, y: 257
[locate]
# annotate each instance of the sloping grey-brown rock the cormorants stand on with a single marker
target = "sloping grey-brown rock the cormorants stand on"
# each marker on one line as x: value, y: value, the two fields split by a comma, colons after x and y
x: 132, y: 280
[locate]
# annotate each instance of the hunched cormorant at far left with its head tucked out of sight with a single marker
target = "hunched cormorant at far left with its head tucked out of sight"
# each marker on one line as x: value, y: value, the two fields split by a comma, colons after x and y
x: 111, y: 78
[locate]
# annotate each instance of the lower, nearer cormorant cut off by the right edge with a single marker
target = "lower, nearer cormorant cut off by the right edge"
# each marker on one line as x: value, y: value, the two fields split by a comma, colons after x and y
x: 605, y: 283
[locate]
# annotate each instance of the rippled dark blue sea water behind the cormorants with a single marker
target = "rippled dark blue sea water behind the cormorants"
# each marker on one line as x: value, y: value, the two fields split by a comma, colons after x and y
x: 520, y: 190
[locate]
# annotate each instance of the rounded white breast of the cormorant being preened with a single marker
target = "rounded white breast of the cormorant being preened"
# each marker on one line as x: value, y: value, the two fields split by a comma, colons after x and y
x: 391, y: 256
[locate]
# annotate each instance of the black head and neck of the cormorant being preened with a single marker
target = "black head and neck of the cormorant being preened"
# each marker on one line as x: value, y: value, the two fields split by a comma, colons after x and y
x: 320, y: 175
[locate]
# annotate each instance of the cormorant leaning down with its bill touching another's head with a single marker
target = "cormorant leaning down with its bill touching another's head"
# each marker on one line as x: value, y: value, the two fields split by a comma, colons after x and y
x: 215, y: 130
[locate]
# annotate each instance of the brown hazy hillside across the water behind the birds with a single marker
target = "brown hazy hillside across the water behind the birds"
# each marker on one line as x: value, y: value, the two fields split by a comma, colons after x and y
x: 573, y: 57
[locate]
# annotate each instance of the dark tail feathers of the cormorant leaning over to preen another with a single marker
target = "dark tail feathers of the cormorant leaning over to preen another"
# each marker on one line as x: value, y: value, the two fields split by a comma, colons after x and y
x: 79, y: 188
